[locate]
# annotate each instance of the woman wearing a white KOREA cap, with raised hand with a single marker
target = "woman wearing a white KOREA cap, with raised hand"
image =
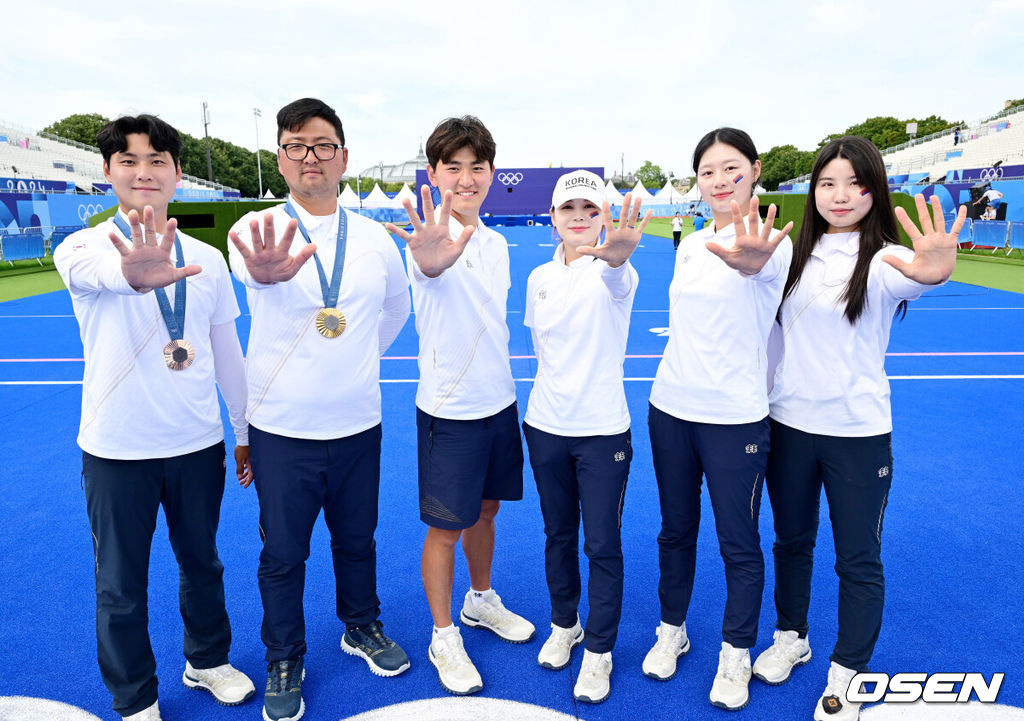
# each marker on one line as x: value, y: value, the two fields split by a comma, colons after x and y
x: 578, y: 310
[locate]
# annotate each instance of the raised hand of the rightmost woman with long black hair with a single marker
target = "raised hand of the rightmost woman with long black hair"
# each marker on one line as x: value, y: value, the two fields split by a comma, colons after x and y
x: 934, y: 249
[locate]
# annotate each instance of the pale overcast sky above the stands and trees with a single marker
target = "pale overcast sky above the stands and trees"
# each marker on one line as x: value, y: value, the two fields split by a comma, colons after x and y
x: 560, y: 83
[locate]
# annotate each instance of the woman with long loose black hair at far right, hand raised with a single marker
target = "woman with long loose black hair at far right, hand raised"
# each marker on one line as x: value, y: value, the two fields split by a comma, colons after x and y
x: 831, y: 417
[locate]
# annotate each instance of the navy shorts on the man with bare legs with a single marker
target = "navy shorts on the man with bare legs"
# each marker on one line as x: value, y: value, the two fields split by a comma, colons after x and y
x: 463, y: 463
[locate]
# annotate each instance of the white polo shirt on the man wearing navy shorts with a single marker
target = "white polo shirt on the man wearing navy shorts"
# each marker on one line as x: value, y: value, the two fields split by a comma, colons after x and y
x: 464, y: 338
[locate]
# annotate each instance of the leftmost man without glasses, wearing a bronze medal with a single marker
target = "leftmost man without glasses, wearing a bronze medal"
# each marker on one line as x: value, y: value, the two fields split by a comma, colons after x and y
x: 151, y: 432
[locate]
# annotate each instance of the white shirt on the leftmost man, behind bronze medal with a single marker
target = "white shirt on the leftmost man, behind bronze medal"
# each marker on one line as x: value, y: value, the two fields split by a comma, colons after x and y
x: 134, y: 407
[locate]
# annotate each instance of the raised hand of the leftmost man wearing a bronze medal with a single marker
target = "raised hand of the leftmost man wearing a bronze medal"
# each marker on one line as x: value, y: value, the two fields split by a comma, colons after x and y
x: 148, y: 264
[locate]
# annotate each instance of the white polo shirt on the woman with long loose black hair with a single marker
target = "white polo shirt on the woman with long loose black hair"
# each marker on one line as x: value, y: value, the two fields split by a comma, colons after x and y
x: 832, y: 377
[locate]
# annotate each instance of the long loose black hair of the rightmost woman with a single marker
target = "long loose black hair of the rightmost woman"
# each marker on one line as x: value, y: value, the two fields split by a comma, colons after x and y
x: 878, y: 229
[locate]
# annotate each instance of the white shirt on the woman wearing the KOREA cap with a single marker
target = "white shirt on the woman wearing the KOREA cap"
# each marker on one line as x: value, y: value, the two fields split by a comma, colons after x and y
x: 579, y: 316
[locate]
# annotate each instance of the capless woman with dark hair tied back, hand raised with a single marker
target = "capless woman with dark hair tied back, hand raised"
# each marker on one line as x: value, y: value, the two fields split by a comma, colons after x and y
x: 709, y: 408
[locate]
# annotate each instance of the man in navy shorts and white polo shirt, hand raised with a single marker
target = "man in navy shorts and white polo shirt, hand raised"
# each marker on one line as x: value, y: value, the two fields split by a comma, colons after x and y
x: 471, y: 454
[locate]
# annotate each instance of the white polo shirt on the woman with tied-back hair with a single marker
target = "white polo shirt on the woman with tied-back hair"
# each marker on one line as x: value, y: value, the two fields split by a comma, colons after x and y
x: 715, y: 365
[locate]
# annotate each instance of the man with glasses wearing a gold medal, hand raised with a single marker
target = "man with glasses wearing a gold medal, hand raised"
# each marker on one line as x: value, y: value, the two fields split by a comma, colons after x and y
x: 315, y: 406
